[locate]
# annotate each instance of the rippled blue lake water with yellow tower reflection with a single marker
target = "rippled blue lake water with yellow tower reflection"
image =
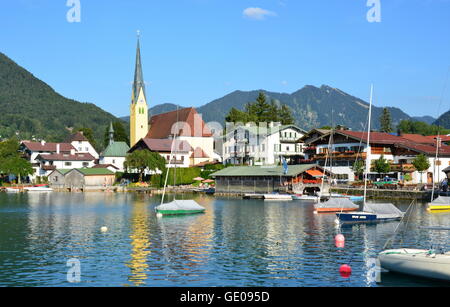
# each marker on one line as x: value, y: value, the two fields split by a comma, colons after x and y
x: 235, y: 243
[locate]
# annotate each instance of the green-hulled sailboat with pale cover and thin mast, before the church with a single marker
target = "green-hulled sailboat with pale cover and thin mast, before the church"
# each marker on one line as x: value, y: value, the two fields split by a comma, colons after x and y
x: 177, y: 207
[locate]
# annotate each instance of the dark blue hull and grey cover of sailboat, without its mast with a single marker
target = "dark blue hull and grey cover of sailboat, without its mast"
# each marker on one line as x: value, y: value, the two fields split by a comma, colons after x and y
x: 372, y: 212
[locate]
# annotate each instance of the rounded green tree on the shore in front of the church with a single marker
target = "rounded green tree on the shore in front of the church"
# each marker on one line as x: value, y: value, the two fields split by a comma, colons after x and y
x: 142, y: 160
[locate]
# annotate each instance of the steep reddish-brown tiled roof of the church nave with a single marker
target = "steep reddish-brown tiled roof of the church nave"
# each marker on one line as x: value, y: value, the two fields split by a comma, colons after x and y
x: 161, y: 125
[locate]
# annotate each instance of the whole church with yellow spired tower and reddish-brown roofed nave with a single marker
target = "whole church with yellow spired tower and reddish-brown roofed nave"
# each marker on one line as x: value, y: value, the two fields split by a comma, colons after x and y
x: 155, y: 134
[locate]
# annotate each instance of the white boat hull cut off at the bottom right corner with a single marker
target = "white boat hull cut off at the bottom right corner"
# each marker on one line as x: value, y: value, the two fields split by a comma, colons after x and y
x: 416, y: 262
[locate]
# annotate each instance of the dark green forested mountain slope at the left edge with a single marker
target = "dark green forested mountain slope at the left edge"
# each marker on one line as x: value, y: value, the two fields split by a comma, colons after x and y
x: 32, y: 109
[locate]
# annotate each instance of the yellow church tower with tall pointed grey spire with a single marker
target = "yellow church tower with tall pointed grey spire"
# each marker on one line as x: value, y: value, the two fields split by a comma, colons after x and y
x: 138, y: 108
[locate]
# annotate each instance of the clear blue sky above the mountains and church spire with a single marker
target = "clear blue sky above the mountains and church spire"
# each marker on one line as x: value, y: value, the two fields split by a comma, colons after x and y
x: 195, y: 51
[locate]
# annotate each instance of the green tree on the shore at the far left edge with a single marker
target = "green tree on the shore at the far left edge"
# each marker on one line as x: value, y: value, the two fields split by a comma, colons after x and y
x: 11, y: 161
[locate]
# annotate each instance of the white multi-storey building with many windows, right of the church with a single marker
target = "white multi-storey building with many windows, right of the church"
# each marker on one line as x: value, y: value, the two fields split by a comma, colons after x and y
x: 263, y: 145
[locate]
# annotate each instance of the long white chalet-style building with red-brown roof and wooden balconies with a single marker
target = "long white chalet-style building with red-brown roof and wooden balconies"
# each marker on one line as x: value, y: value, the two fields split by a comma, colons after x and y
x: 349, y: 146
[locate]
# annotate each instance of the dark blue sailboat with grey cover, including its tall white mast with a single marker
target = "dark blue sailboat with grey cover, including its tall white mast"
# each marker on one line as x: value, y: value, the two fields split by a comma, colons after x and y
x: 371, y: 212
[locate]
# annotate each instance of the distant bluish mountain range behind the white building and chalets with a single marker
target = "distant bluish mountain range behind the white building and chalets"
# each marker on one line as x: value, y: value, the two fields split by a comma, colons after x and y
x: 312, y: 107
